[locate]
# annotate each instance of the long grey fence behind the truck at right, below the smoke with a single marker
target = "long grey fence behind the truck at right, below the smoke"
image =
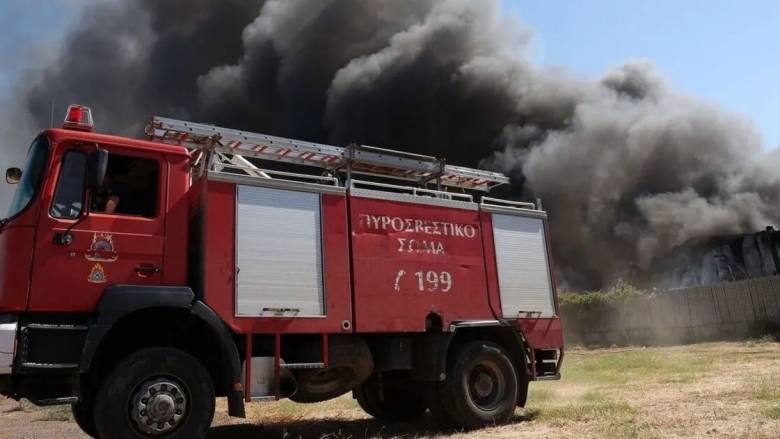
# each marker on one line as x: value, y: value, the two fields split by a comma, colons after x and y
x: 726, y: 311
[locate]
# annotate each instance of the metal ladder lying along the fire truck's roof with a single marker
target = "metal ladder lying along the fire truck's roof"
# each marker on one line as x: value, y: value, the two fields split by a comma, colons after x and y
x: 233, y: 146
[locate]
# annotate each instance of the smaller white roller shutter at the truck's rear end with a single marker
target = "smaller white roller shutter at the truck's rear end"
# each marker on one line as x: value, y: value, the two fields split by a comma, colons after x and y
x: 521, y: 258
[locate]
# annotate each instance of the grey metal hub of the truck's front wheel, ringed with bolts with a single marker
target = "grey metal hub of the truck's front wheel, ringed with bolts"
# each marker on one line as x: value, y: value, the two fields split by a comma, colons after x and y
x: 158, y: 406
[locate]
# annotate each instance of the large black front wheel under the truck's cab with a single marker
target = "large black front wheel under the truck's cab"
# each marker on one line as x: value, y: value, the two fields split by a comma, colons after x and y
x: 159, y: 392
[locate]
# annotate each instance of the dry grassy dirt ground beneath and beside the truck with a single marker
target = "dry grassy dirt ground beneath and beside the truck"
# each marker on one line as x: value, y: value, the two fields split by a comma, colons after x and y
x: 704, y: 390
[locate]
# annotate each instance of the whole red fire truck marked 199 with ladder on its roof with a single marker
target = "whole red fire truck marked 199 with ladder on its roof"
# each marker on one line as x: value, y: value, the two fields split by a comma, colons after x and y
x: 140, y: 279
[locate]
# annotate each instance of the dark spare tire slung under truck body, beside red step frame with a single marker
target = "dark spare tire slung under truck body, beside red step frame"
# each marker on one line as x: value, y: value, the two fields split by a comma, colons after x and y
x: 350, y: 364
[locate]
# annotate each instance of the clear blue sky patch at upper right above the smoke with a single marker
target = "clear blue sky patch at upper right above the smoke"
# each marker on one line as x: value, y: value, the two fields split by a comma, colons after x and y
x: 724, y: 51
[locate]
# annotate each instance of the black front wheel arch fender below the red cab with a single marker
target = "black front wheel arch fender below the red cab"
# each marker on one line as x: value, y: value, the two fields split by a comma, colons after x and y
x: 129, y: 318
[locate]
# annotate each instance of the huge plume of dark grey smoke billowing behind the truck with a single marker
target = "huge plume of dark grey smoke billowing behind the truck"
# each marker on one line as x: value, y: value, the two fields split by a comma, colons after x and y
x: 628, y: 167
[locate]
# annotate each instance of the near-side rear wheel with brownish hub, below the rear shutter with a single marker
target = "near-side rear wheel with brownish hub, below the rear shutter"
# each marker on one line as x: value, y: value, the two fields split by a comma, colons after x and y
x: 481, y: 386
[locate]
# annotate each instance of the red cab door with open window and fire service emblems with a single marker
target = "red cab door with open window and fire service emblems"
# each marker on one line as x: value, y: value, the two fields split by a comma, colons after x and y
x: 120, y: 247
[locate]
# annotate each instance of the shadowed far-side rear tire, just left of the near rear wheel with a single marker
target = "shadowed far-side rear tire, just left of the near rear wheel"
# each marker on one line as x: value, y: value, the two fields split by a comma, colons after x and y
x: 389, y: 403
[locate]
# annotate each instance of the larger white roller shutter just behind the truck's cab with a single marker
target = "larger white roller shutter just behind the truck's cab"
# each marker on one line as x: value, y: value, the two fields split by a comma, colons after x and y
x: 278, y: 253
